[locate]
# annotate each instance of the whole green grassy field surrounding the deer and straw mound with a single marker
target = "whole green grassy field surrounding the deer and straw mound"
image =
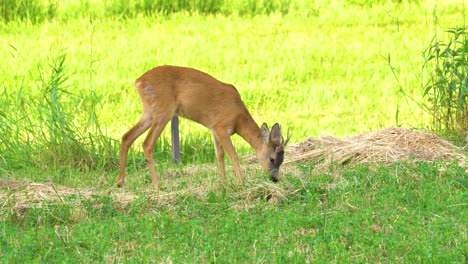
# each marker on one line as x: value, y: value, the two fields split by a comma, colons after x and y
x: 315, y: 67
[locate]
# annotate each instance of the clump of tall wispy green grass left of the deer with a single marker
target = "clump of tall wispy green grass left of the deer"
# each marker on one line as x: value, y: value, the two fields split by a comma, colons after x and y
x: 40, y: 126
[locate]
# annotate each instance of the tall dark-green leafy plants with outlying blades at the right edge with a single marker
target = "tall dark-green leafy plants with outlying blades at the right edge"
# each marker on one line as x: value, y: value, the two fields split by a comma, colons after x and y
x: 443, y: 78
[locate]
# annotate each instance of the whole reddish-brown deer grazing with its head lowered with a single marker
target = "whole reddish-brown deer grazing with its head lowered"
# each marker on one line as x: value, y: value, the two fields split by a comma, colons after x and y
x: 166, y: 91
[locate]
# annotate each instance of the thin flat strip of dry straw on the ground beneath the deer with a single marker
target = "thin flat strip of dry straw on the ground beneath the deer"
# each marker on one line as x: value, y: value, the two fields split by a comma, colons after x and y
x: 19, y: 196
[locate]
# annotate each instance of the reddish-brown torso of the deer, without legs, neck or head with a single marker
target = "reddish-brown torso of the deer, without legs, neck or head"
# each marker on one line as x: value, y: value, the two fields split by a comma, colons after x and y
x: 191, y: 94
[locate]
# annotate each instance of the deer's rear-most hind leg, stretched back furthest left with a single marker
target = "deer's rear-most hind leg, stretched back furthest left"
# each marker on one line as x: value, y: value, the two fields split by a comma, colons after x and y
x: 127, y: 140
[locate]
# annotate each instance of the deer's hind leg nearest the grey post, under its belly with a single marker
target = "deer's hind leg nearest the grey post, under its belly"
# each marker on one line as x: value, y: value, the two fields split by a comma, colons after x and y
x: 159, y: 122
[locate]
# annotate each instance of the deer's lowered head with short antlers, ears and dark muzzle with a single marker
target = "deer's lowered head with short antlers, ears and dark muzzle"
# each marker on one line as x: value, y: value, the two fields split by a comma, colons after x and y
x: 271, y: 154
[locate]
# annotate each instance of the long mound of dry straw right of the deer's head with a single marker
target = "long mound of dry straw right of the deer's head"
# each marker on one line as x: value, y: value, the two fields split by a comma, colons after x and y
x: 386, y: 145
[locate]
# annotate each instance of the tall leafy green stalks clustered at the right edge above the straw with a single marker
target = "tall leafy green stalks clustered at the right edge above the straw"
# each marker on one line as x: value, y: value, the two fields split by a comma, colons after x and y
x: 446, y: 87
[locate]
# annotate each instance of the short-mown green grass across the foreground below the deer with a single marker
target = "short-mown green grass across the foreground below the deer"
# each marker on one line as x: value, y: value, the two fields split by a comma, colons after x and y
x: 406, y: 212
